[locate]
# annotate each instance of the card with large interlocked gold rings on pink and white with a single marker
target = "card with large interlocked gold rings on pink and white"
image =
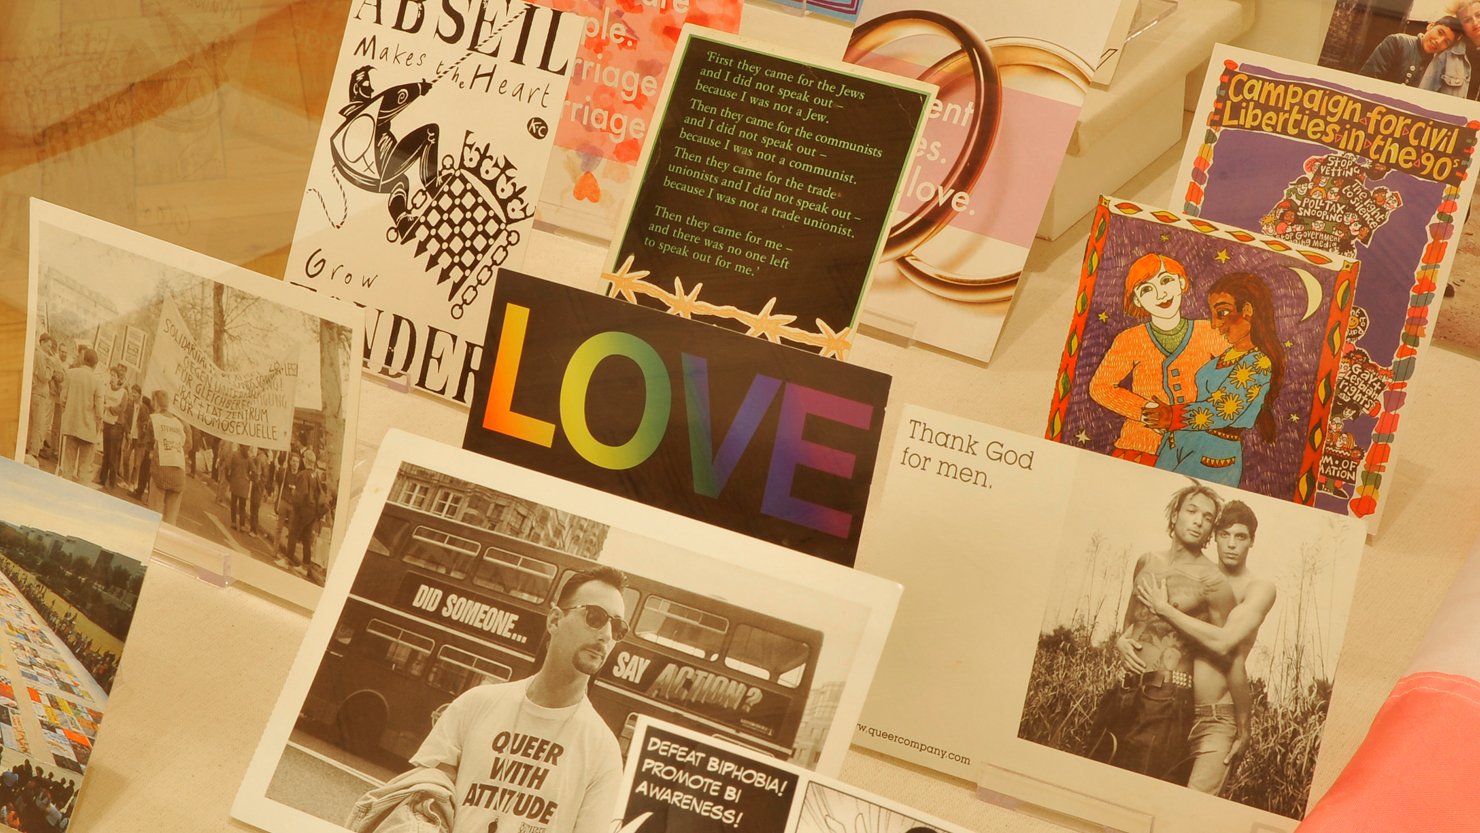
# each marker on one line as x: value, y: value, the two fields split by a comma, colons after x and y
x: 1012, y: 84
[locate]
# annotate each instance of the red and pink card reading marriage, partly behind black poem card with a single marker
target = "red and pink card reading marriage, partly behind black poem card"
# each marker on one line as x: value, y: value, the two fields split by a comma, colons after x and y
x: 618, y: 73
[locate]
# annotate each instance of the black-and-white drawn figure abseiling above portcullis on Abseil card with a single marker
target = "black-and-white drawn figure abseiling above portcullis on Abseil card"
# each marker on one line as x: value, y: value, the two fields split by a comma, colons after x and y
x: 368, y: 153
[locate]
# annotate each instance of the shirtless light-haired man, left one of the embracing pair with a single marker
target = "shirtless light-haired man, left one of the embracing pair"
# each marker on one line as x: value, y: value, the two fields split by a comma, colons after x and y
x: 1145, y: 723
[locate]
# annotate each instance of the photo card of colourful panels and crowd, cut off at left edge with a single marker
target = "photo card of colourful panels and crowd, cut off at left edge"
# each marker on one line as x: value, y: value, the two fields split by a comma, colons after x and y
x: 72, y: 567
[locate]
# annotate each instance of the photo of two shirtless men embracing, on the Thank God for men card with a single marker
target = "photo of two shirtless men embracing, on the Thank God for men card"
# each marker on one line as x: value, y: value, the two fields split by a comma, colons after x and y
x: 1191, y: 635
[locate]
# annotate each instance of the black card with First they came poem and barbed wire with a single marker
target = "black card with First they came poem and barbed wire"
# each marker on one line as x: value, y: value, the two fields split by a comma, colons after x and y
x: 767, y: 190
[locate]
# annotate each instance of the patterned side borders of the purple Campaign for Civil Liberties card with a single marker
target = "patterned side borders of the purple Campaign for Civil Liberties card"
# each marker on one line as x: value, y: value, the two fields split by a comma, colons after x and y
x: 1422, y: 298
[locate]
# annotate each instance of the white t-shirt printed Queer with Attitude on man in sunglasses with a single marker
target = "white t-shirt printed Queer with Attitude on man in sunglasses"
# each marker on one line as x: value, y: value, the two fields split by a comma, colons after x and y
x: 534, y: 770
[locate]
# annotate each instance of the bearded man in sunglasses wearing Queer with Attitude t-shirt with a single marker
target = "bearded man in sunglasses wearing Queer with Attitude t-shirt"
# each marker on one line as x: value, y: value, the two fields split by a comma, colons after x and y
x: 534, y: 757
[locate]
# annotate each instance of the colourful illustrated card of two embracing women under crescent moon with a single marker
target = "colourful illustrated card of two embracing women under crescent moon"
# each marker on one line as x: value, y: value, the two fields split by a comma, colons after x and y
x: 1204, y: 350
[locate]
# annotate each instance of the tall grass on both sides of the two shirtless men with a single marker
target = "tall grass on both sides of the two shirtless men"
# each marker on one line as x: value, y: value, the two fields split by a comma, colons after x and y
x: 1071, y: 674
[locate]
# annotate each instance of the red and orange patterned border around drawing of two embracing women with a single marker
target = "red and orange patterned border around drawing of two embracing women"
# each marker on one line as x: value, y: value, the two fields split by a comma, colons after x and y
x: 1327, y: 366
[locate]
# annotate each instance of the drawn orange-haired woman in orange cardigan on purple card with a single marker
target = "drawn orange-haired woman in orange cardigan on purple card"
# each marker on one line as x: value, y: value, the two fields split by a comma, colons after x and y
x: 1161, y: 357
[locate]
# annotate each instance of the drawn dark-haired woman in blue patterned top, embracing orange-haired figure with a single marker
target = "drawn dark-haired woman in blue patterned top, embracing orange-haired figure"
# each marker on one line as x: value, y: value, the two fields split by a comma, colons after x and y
x: 1207, y: 437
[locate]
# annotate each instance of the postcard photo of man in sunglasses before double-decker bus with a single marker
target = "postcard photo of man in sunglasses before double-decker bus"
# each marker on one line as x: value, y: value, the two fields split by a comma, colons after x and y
x: 494, y: 635
